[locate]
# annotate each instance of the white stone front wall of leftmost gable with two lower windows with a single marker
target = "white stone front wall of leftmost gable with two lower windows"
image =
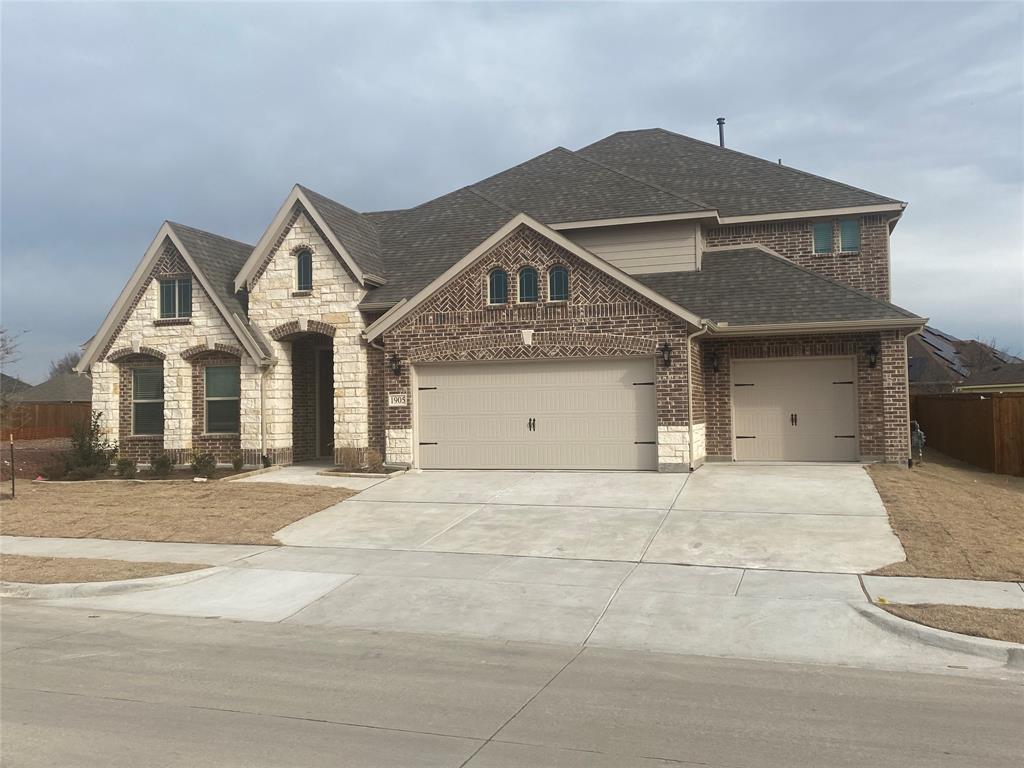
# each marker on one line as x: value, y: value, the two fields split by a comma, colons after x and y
x: 144, y: 329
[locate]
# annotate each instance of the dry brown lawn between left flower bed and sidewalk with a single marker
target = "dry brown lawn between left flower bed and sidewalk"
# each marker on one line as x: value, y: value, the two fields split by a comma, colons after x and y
x: 217, y: 513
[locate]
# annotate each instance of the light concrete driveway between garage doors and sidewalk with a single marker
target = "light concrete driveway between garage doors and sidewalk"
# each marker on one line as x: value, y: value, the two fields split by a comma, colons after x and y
x: 794, y: 518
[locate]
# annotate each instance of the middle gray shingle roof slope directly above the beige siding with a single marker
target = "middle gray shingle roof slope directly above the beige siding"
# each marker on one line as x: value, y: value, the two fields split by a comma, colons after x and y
x: 561, y: 186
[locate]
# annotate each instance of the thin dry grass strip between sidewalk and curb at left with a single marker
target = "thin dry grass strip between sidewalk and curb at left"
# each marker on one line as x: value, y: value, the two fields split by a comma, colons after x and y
x: 74, y: 570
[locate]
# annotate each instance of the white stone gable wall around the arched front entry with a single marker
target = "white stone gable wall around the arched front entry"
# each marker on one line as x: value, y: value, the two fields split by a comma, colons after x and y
x: 334, y: 301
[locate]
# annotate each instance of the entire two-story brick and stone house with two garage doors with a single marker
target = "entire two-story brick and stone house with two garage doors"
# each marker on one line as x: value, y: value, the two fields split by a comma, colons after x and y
x: 650, y: 302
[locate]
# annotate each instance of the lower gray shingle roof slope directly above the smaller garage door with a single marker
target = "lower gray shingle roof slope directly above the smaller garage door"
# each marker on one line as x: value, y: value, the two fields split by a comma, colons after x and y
x: 751, y: 288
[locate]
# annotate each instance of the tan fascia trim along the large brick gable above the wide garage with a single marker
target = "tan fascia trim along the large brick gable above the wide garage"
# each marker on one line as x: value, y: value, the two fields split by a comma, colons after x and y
x: 393, y: 319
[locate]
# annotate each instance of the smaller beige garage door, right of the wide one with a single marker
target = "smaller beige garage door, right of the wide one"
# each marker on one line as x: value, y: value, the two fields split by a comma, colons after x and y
x: 795, y: 410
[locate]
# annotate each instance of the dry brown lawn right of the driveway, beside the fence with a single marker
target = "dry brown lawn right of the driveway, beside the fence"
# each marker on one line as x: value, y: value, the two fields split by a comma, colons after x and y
x: 955, y: 521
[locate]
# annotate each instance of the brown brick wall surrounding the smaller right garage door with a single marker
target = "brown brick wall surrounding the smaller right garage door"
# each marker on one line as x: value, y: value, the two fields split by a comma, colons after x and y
x: 882, y: 393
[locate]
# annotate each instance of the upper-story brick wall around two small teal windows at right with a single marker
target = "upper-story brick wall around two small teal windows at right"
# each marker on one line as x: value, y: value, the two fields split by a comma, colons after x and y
x: 867, y: 271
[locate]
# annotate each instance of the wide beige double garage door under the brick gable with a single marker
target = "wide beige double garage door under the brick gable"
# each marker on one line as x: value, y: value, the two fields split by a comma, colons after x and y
x: 538, y: 415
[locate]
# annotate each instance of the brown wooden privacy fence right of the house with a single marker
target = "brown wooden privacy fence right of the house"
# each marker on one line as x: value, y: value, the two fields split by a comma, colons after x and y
x: 987, y: 431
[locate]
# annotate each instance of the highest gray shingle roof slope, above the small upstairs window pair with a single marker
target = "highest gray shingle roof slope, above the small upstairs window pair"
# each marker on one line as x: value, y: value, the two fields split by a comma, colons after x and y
x: 735, y: 184
